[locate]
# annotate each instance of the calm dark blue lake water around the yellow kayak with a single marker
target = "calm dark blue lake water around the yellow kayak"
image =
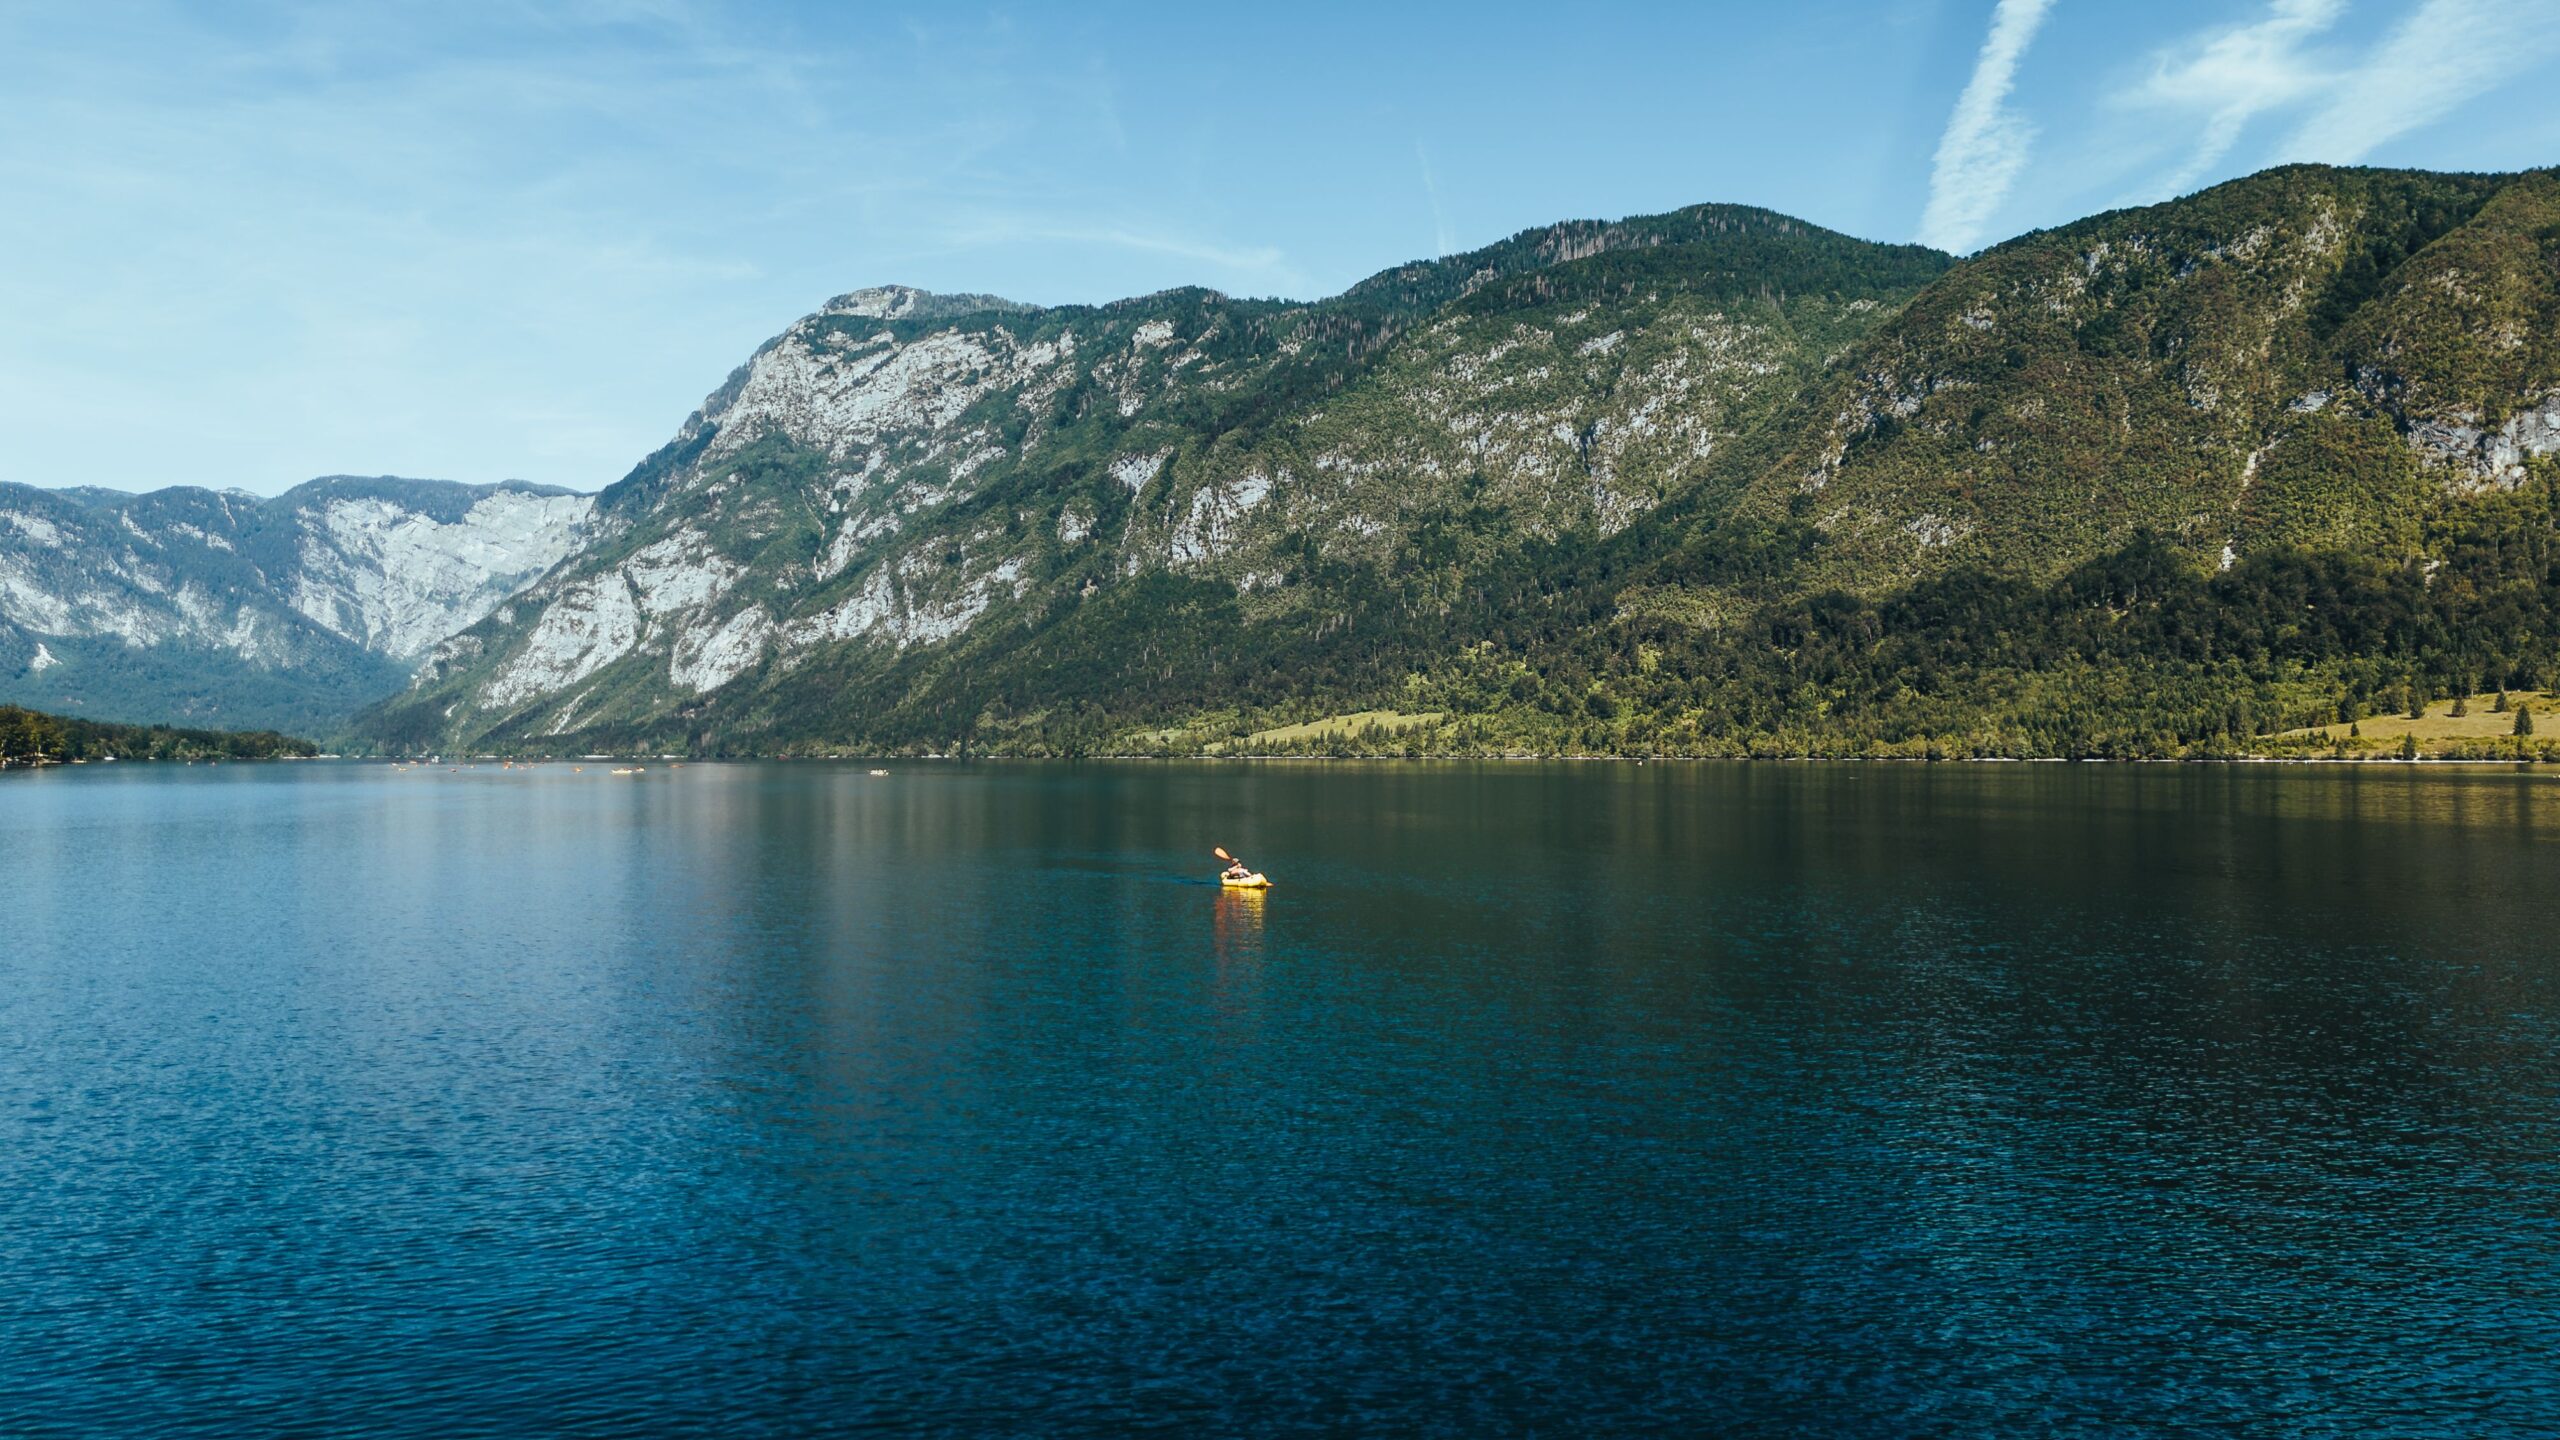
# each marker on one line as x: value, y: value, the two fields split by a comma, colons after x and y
x: 1565, y: 1100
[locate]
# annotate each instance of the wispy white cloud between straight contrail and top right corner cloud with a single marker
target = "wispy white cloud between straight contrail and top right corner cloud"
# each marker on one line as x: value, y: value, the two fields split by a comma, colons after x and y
x: 2231, y: 76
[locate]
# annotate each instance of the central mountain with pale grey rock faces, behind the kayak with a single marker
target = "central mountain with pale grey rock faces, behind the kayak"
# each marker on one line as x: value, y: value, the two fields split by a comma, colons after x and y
x: 915, y: 519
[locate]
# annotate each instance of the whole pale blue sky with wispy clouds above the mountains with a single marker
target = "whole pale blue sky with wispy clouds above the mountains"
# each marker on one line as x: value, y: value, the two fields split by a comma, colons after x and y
x: 257, y: 242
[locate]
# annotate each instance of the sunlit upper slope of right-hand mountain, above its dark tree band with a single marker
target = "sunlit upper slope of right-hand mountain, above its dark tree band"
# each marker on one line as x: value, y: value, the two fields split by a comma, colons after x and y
x: 2305, y: 357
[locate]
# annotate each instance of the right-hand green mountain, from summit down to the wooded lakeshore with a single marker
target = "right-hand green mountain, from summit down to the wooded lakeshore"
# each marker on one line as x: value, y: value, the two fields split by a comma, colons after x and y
x: 2198, y: 478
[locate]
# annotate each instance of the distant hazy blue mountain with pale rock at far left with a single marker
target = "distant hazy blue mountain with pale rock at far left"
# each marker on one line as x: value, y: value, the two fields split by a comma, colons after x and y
x: 257, y: 614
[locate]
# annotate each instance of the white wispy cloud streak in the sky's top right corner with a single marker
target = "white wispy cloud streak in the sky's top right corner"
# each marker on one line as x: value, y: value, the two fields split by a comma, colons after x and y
x: 2444, y: 55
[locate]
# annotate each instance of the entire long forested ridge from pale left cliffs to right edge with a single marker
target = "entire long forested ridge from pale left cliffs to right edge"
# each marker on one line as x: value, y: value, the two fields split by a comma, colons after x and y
x: 1709, y: 483
